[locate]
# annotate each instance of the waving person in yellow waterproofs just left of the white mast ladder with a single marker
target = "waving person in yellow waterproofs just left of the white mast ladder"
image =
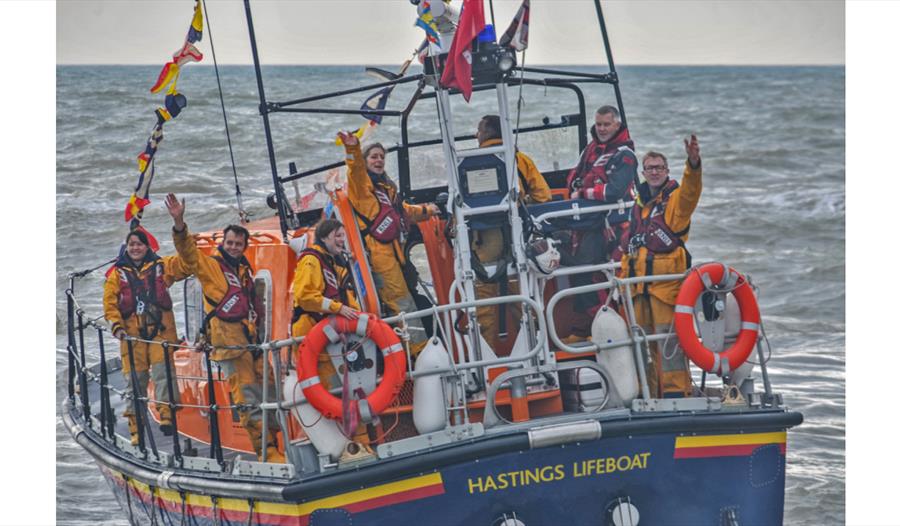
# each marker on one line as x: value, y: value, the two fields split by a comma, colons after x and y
x: 384, y: 222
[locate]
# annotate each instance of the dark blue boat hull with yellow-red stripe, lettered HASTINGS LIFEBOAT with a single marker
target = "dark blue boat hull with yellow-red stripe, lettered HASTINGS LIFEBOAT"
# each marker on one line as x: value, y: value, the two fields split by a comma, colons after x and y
x: 670, y: 478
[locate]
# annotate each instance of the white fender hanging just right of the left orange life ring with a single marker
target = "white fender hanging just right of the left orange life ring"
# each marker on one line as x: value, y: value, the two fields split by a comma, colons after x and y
x: 429, y: 395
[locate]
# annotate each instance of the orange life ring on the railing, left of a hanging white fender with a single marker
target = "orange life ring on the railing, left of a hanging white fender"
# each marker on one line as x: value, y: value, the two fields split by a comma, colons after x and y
x: 328, y: 331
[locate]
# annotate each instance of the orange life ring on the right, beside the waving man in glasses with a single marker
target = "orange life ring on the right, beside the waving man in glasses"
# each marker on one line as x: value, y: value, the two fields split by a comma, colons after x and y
x: 697, y: 282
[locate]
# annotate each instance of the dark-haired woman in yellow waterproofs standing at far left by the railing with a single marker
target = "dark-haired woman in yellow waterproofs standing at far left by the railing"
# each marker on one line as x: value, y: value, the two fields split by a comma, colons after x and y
x: 136, y: 303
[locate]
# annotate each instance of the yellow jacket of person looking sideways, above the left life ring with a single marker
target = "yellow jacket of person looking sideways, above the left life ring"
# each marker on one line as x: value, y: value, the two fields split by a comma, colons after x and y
x: 308, y: 289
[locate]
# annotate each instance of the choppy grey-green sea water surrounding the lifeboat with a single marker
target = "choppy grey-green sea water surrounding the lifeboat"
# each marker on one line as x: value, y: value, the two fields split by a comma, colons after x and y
x: 773, y: 205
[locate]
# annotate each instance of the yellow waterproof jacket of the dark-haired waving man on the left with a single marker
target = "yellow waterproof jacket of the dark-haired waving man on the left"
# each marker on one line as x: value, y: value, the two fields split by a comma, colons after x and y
x: 214, y: 285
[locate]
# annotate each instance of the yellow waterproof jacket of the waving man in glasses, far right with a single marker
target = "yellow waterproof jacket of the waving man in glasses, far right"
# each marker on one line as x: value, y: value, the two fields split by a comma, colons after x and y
x: 678, y: 212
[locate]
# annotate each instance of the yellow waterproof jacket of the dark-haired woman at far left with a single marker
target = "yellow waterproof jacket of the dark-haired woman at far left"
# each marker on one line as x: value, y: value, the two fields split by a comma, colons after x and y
x: 174, y: 269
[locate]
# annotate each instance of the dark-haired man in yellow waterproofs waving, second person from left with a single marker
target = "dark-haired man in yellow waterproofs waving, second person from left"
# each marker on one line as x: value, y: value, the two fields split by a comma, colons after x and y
x: 230, y: 305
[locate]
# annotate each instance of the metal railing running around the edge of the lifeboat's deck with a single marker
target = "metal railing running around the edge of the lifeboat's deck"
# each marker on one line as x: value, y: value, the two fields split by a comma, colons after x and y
x: 535, y: 363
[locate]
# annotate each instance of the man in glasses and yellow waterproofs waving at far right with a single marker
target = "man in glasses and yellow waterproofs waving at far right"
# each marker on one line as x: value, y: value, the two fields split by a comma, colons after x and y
x: 660, y: 221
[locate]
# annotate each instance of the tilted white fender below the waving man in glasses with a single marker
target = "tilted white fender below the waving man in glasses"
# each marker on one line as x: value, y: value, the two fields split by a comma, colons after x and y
x: 608, y: 327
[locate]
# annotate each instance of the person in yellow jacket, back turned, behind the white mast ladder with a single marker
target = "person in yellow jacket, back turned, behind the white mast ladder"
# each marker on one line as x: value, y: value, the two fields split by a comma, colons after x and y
x: 489, y: 246
